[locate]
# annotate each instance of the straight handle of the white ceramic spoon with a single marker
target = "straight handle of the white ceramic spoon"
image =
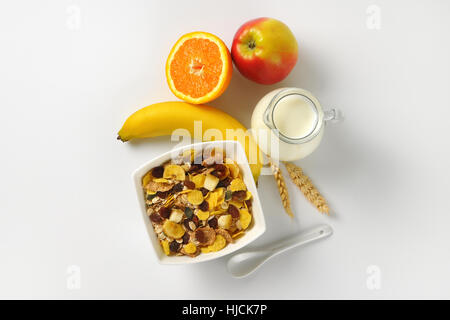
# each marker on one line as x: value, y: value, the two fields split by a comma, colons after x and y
x: 315, y: 233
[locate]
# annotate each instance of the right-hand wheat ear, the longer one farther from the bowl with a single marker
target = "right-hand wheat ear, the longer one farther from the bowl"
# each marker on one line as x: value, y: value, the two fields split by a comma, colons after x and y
x: 307, y: 188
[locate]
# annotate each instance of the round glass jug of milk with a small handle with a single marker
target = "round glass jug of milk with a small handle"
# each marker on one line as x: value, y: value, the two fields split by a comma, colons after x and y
x: 288, y: 123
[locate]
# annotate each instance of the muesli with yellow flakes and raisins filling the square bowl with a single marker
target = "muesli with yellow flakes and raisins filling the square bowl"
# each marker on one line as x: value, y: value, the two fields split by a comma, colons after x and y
x: 197, y: 202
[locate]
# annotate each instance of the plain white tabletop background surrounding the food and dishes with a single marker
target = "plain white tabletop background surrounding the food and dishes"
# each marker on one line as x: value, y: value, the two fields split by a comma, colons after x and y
x: 72, y: 71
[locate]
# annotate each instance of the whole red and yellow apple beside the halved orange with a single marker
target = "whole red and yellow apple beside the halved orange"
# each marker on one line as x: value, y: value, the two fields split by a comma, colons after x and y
x: 264, y: 50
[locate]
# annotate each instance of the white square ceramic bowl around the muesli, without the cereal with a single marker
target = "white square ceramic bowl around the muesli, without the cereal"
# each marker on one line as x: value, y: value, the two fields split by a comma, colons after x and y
x: 238, y: 154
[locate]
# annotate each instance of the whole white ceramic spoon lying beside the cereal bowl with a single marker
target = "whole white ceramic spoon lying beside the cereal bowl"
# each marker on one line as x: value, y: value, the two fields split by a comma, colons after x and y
x: 244, y: 263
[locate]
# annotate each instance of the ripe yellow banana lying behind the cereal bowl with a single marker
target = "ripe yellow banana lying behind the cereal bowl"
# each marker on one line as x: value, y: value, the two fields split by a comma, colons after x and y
x: 161, y: 119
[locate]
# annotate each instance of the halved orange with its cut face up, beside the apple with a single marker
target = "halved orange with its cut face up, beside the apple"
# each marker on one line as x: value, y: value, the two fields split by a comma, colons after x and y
x: 199, y: 67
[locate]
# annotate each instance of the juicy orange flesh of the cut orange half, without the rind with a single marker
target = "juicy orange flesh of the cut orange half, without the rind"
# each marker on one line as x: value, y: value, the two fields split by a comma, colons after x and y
x: 196, y: 67
